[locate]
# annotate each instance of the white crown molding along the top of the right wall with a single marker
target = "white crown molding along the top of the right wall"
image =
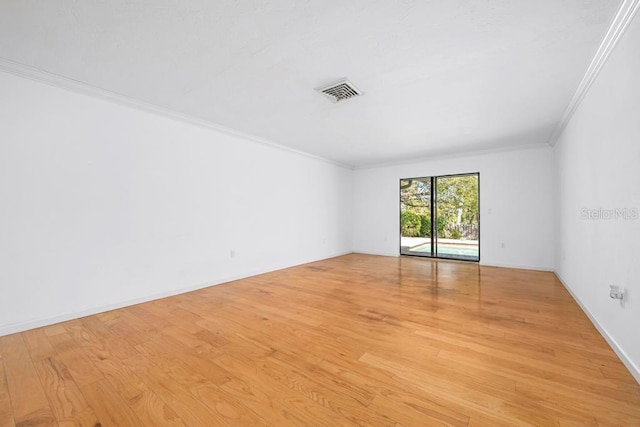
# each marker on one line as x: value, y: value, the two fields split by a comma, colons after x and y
x: 620, y: 23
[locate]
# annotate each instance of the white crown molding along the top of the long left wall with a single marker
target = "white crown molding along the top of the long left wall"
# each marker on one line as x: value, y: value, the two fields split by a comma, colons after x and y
x: 58, y: 81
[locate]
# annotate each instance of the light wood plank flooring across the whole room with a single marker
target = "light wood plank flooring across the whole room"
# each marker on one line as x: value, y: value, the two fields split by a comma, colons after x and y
x: 353, y: 340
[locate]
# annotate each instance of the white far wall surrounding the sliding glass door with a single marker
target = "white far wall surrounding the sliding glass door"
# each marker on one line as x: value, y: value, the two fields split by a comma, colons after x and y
x: 515, y: 205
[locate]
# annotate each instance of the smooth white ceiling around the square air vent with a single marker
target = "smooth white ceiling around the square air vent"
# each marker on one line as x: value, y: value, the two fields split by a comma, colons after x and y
x: 439, y: 76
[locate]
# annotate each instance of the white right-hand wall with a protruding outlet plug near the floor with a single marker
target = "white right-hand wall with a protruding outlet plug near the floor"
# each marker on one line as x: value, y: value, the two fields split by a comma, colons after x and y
x: 597, y: 165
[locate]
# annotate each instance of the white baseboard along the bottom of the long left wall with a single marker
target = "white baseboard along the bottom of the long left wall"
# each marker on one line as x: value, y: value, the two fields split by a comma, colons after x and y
x: 13, y: 328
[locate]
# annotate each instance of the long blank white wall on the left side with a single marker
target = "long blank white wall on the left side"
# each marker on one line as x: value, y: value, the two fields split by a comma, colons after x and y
x: 103, y: 205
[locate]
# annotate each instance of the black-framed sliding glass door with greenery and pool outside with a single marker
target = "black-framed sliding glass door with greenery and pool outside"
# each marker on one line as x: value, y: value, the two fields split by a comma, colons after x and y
x: 439, y: 216
